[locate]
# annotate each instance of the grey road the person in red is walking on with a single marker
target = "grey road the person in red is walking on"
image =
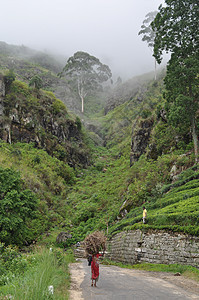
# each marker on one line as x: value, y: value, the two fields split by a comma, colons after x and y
x: 124, y: 284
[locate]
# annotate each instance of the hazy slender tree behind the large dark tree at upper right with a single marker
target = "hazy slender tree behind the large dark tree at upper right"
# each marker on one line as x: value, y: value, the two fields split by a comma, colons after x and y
x: 148, y: 32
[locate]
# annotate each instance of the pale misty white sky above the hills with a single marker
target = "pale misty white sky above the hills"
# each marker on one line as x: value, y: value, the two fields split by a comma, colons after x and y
x: 107, y: 29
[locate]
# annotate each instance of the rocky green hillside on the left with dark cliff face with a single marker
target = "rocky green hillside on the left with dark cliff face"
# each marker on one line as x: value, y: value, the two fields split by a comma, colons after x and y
x: 42, y: 147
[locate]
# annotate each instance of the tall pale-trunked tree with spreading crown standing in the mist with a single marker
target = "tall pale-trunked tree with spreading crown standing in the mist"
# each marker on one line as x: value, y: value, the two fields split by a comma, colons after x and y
x: 86, y: 73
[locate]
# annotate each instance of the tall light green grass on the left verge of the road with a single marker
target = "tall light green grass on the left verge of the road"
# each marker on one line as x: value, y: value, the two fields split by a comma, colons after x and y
x: 50, y: 268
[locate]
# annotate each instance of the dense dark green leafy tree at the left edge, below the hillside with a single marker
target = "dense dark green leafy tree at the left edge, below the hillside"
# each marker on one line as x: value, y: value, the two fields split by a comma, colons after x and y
x: 17, y: 208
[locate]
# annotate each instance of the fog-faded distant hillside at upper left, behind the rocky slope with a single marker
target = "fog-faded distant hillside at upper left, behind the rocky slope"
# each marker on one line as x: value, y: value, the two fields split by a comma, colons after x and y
x: 27, y: 63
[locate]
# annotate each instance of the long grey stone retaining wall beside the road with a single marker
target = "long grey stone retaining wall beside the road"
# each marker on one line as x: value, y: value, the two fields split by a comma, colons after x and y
x: 156, y: 247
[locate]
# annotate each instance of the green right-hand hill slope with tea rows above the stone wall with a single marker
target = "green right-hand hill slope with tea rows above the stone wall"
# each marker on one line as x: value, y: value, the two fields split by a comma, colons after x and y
x: 109, y: 195
